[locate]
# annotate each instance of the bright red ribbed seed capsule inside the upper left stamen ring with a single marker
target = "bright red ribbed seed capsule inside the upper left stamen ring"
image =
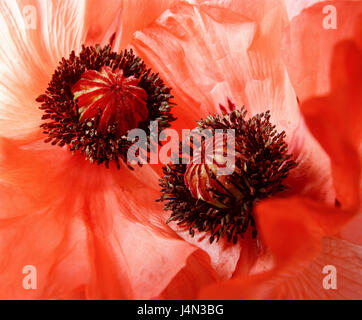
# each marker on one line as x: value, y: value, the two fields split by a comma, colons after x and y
x: 118, y: 99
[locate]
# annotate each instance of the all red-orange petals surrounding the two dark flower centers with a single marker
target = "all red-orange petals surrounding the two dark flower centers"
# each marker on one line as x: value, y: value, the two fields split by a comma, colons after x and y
x: 97, y: 233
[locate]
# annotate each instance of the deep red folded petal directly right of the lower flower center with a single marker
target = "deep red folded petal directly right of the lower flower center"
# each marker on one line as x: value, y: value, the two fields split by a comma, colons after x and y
x: 292, y: 228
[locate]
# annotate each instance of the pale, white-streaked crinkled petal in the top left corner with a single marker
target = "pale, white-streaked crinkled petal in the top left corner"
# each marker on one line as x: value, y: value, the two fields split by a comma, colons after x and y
x: 35, y: 35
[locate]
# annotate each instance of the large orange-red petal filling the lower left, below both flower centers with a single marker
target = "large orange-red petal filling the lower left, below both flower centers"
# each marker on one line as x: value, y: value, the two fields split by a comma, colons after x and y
x: 120, y: 234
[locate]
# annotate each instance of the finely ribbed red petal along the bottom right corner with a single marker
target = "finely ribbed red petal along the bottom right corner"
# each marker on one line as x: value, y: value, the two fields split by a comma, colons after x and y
x: 309, y: 282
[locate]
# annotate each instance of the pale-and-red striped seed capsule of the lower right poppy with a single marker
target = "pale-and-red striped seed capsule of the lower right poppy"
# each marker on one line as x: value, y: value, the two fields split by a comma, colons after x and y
x: 208, y: 175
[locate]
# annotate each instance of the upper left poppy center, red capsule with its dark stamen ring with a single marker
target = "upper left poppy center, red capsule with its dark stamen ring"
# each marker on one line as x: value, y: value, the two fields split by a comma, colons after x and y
x: 95, y: 98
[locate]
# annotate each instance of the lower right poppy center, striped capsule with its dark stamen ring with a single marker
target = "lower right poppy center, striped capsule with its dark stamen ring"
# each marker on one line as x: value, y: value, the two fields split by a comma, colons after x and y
x: 201, y: 198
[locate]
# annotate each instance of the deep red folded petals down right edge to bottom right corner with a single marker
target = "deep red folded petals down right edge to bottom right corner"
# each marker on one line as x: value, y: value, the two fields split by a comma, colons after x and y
x: 316, y: 238
